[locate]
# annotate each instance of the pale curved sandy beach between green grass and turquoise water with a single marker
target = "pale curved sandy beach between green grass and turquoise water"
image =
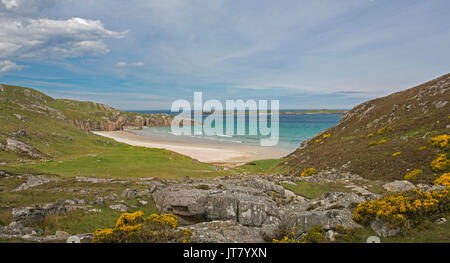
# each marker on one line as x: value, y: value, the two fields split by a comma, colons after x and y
x: 226, y: 154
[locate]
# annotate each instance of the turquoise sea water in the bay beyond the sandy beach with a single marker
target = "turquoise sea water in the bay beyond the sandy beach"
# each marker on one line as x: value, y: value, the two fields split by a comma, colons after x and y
x: 293, y: 129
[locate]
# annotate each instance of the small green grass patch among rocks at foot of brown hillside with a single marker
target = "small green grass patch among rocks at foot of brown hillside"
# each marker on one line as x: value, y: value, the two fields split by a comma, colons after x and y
x: 314, y: 190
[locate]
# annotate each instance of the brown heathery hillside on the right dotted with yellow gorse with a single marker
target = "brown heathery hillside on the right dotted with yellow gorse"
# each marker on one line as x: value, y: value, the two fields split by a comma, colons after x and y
x: 383, y: 138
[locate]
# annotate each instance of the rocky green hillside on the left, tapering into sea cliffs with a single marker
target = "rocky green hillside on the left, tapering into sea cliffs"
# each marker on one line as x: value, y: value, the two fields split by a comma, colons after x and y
x: 36, y: 126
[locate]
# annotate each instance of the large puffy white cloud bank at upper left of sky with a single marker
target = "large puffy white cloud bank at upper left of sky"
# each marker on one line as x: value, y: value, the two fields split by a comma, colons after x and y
x: 47, y: 38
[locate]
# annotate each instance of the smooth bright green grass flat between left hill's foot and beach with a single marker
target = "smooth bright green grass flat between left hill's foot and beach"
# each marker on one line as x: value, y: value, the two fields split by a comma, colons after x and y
x: 125, y: 162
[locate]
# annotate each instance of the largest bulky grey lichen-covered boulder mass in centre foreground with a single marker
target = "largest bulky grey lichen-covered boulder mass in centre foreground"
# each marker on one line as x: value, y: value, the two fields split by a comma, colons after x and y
x: 247, y: 201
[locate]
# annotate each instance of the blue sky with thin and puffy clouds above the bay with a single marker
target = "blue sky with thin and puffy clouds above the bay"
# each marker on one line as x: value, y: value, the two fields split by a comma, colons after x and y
x: 143, y: 55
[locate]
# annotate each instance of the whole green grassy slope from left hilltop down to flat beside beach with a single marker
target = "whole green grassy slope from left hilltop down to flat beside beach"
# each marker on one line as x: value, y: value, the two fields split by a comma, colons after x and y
x: 74, y: 152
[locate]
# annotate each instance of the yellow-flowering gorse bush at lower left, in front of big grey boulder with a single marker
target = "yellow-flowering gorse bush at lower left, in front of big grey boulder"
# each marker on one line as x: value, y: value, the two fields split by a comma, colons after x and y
x: 134, y: 228
